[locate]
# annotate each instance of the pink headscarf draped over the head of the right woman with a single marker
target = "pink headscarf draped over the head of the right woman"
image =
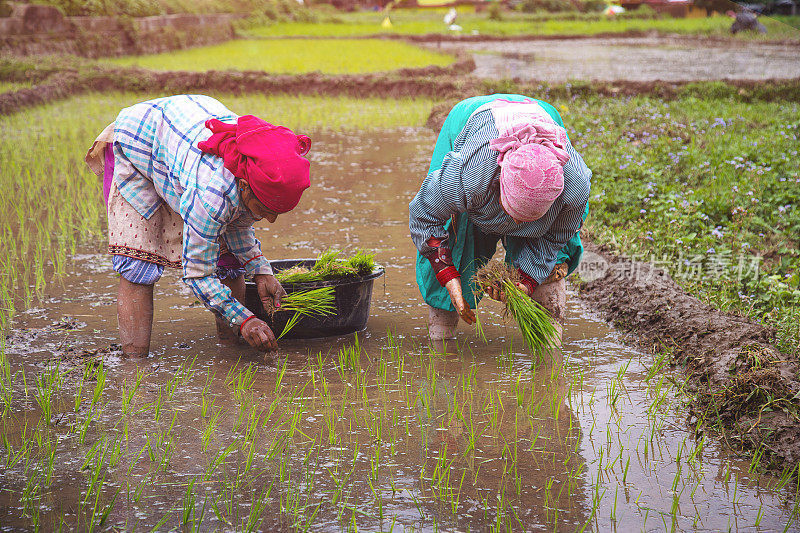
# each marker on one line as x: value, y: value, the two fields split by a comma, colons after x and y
x: 532, y: 157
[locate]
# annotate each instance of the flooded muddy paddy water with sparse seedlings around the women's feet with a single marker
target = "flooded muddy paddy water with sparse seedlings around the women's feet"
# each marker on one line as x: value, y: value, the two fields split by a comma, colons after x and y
x: 403, y: 436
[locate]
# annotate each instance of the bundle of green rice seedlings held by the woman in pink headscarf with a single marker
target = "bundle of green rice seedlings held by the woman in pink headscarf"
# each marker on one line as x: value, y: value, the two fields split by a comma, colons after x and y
x: 534, y: 321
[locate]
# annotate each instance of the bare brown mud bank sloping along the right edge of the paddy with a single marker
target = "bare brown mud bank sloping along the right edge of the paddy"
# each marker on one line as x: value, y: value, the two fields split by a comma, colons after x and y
x: 737, y: 374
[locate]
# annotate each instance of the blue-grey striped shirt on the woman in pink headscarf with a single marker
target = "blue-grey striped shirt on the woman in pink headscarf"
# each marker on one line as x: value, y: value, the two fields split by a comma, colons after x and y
x: 468, y: 182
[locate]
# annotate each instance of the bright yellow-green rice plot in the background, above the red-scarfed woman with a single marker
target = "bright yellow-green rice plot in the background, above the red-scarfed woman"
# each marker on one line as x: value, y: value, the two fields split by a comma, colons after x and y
x: 294, y: 56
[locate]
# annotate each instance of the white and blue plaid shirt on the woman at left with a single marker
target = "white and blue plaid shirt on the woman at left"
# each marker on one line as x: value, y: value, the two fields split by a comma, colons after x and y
x: 159, y: 140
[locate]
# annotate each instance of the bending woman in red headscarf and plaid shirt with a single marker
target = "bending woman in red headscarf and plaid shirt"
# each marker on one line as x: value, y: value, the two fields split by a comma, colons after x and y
x: 184, y: 181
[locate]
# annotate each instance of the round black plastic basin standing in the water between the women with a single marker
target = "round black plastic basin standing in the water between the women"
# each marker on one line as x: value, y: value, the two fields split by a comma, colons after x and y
x: 352, y: 299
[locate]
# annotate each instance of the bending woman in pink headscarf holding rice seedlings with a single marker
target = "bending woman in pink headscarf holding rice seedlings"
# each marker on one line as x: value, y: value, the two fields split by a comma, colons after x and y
x: 503, y: 169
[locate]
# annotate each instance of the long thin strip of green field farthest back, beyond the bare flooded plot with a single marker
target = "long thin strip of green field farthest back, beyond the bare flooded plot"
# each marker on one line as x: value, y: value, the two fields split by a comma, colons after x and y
x: 420, y: 22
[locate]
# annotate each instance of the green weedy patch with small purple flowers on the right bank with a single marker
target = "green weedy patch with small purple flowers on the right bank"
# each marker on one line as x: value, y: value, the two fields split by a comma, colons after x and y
x: 706, y: 188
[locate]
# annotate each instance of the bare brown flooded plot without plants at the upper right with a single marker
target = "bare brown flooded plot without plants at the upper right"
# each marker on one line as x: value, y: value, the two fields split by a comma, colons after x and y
x: 634, y: 59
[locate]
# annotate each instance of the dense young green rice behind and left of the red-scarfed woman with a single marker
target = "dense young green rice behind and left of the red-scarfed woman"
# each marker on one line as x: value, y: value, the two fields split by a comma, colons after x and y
x: 52, y: 202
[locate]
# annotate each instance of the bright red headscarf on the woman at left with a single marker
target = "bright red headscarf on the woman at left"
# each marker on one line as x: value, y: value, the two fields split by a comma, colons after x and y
x: 269, y: 158
